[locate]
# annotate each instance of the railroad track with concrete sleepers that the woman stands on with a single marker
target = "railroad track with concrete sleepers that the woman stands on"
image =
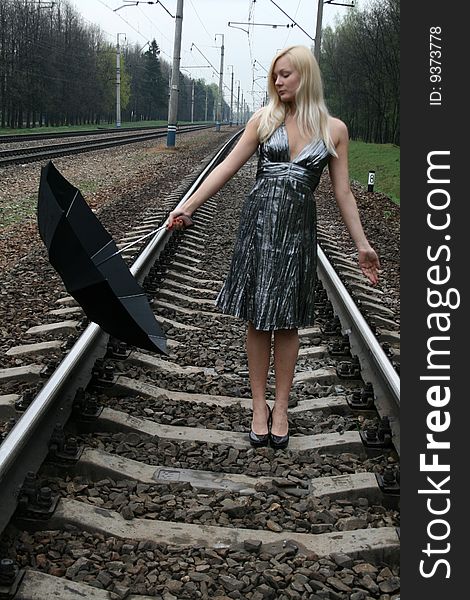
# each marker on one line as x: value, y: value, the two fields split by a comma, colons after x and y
x: 141, y: 466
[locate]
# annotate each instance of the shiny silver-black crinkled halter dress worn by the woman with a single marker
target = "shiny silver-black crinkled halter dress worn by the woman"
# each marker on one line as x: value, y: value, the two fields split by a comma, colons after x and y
x: 271, y: 279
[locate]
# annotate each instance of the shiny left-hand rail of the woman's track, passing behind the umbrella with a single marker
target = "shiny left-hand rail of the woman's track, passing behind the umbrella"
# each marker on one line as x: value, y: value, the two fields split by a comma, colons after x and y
x: 15, y: 445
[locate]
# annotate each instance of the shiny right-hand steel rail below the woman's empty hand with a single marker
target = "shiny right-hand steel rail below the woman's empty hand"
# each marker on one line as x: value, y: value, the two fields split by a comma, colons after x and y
x: 375, y: 365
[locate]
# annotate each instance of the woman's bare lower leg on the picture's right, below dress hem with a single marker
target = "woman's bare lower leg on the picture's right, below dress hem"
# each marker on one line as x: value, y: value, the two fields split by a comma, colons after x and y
x: 286, y: 349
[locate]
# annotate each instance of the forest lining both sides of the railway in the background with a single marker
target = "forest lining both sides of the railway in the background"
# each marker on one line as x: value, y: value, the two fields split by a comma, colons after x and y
x: 57, y: 70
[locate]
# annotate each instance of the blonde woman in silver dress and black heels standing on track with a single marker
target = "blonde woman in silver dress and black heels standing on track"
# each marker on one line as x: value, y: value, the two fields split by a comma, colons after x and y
x: 271, y: 280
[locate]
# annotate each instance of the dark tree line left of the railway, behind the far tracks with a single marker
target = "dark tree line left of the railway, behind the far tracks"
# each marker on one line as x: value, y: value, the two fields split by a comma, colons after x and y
x: 57, y: 70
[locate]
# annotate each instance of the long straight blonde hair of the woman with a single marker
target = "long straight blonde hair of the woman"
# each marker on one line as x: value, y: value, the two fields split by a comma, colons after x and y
x: 311, y: 110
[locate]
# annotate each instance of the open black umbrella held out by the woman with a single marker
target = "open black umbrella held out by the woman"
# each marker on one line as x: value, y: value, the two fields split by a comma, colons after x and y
x: 92, y: 269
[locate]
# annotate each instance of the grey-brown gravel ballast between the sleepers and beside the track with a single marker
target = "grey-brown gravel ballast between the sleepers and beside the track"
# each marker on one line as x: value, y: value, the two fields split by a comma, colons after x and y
x: 122, y: 185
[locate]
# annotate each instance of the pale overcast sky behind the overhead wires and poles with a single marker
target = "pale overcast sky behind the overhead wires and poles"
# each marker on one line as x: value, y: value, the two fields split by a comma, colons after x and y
x: 248, y: 50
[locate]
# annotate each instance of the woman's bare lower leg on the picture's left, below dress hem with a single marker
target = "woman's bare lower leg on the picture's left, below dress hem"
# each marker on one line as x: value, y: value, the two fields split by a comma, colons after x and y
x: 258, y: 349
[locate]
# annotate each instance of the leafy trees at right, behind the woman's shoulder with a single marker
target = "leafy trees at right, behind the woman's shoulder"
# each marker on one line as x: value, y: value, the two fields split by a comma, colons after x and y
x: 360, y: 63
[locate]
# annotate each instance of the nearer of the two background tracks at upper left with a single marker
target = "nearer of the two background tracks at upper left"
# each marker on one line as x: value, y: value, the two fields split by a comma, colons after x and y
x: 34, y: 153
